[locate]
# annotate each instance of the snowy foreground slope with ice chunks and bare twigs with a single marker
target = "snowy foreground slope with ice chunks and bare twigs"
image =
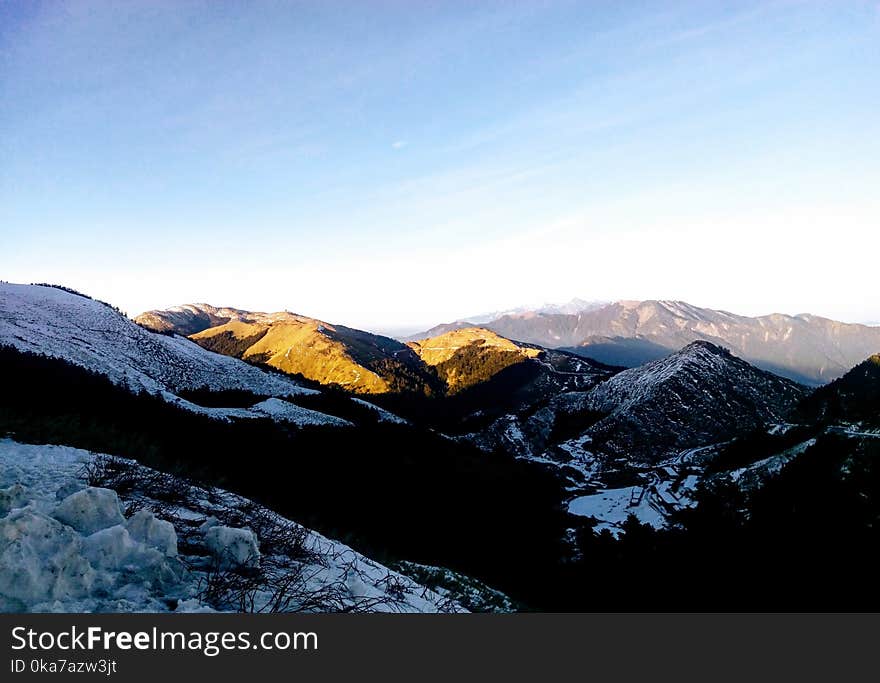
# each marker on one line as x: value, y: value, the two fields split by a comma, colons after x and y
x: 67, y: 547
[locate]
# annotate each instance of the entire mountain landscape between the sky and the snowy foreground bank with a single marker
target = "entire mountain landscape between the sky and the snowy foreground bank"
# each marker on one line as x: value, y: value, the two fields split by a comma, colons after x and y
x: 500, y: 457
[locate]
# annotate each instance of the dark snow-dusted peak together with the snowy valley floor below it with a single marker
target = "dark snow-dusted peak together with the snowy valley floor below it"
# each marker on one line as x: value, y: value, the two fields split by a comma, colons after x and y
x: 640, y: 442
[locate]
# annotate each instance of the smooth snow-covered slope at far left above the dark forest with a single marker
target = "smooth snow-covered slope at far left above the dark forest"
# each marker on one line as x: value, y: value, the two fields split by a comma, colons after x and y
x: 90, y: 334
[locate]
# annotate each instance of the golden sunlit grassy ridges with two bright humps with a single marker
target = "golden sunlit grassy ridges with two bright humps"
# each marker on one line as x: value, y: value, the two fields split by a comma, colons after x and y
x: 358, y: 361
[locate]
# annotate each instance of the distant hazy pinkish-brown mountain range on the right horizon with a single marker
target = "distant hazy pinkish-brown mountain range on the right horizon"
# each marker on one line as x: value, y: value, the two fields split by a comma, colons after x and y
x: 806, y: 348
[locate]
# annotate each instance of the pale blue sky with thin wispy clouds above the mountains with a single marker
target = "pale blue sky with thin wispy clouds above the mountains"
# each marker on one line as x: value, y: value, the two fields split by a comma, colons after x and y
x: 393, y: 165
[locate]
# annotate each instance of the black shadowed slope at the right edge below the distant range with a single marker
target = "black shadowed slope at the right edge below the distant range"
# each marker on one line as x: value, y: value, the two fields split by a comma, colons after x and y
x: 853, y: 399
